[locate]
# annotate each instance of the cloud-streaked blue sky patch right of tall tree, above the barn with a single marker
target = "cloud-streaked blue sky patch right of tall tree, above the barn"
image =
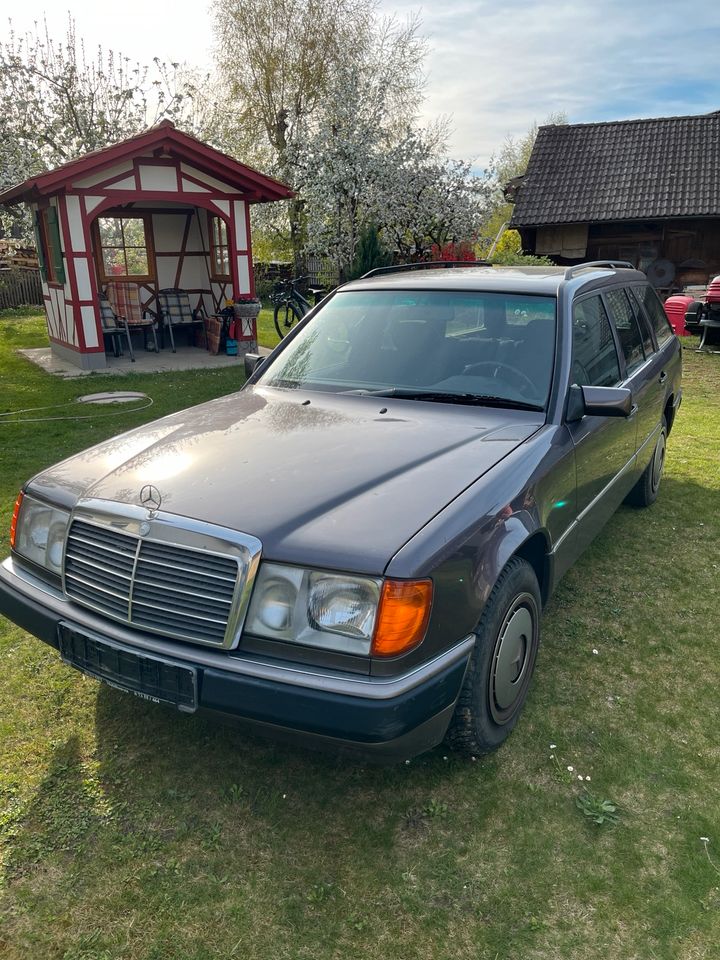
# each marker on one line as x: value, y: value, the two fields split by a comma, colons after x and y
x: 498, y: 67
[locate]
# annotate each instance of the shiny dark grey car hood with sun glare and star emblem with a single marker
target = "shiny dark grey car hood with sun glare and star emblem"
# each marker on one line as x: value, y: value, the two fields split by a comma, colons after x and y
x: 323, y: 480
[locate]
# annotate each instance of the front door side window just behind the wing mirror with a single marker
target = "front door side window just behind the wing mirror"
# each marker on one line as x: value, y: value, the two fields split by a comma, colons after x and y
x: 595, y: 359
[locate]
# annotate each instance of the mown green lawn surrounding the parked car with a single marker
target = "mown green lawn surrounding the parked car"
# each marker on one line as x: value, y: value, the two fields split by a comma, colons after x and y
x: 128, y: 832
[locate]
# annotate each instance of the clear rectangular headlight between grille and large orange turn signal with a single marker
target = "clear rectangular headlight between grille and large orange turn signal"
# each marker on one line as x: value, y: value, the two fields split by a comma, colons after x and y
x: 314, y: 608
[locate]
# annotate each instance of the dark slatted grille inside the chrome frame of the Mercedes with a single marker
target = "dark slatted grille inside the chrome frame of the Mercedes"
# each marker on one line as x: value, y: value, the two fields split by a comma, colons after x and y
x: 161, y: 587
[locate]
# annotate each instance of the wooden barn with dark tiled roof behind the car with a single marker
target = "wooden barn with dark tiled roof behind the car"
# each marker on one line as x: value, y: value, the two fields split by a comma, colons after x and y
x: 647, y: 191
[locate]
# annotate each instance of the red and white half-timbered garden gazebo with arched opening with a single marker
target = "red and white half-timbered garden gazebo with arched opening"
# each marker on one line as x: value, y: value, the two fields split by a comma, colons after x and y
x: 161, y: 209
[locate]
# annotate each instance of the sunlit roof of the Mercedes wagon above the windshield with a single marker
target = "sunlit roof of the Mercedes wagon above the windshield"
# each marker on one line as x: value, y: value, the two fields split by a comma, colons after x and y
x: 518, y: 279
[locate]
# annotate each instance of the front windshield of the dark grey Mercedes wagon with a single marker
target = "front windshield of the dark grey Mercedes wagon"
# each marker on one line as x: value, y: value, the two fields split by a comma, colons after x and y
x: 492, y: 347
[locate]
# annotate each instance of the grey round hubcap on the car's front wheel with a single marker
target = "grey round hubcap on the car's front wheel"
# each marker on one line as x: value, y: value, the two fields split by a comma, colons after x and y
x: 512, y: 659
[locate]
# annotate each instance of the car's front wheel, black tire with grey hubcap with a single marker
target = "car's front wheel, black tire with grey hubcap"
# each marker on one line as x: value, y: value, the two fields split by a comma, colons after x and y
x: 502, y: 663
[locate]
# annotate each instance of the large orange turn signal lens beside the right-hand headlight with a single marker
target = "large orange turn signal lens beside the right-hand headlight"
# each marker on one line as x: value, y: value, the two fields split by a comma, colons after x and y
x: 402, y: 616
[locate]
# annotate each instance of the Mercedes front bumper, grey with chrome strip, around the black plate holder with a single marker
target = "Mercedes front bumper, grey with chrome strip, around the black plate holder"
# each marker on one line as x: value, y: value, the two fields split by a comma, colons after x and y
x: 397, y: 717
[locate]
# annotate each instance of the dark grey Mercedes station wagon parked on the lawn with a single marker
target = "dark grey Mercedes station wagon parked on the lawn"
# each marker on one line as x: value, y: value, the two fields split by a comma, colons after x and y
x: 357, y: 546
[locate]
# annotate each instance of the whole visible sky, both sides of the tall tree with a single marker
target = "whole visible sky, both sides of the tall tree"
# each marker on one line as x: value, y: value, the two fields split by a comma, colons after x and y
x: 494, y: 68
